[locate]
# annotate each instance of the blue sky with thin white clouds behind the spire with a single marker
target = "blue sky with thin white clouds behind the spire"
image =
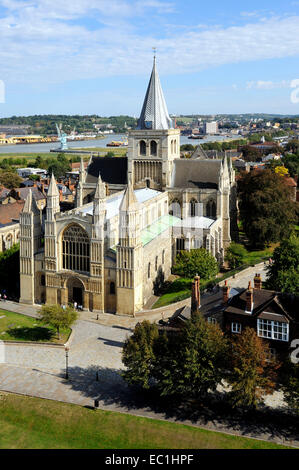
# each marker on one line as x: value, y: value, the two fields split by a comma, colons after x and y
x: 95, y: 56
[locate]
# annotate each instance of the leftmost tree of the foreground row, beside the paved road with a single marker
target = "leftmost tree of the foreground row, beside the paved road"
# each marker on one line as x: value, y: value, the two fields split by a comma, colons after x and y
x: 138, y: 355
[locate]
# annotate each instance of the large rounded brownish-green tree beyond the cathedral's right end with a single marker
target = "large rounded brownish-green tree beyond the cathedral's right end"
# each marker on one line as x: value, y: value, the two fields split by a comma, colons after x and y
x: 266, y: 209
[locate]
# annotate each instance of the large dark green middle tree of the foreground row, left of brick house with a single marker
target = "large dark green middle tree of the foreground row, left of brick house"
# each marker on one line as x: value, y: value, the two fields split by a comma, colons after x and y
x: 191, y: 363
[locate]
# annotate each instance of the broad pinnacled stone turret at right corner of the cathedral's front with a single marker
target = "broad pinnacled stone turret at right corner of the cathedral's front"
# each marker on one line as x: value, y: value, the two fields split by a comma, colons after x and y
x: 129, y: 262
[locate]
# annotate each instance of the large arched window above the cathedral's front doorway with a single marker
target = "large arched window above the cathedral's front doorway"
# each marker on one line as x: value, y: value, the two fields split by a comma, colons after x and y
x: 75, y: 249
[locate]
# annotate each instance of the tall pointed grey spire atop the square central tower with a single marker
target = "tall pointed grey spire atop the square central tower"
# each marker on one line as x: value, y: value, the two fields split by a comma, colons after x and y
x: 154, y: 114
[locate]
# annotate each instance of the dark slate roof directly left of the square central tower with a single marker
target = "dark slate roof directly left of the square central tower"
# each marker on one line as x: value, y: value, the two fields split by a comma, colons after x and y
x: 112, y: 170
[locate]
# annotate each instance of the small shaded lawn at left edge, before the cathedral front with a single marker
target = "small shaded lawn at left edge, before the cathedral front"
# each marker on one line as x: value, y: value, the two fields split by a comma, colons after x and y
x: 17, y: 327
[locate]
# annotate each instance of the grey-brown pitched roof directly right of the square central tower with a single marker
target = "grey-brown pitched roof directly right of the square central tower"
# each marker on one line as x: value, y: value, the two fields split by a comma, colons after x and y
x: 196, y: 173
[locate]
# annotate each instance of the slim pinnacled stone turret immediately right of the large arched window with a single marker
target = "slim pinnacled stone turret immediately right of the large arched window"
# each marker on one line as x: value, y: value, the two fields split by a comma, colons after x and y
x: 97, y: 245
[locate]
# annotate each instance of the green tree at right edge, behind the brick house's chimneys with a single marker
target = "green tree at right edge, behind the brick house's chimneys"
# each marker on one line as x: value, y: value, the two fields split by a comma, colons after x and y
x: 283, y: 273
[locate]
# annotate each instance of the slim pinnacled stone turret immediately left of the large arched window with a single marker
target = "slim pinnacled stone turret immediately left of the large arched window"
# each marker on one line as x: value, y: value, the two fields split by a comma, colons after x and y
x: 51, y: 255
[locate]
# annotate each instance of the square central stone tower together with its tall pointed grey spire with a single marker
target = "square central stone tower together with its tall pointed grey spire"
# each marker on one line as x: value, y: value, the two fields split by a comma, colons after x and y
x: 154, y: 145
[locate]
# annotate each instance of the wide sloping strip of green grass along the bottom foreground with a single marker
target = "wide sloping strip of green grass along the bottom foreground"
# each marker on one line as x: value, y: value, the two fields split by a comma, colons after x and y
x: 33, y: 423
